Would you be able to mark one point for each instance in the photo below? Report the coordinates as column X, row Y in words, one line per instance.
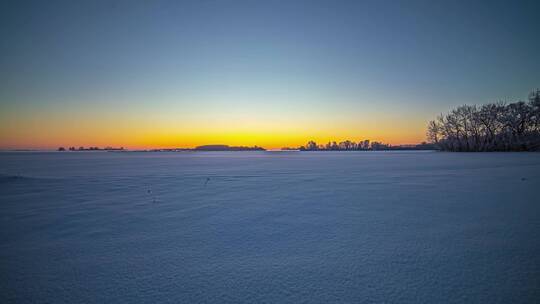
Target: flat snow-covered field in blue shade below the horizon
column 270, row 227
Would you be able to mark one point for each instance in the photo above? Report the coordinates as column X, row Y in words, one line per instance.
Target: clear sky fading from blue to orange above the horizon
column 164, row 74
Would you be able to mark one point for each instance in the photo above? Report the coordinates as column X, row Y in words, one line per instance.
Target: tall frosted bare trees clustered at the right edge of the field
column 490, row 127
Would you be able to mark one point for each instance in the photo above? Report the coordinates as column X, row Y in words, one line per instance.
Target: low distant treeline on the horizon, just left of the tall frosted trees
column 363, row 145
